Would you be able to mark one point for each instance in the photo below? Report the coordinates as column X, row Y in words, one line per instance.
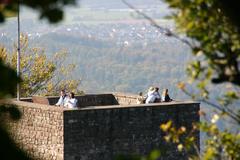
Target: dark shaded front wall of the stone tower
column 102, row 133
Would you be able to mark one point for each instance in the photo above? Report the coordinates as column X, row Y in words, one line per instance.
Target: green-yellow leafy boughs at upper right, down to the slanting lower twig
column 216, row 46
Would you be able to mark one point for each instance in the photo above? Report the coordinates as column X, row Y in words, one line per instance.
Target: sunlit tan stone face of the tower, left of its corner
column 39, row 131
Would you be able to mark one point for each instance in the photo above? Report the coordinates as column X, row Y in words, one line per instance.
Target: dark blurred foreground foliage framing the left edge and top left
column 53, row 11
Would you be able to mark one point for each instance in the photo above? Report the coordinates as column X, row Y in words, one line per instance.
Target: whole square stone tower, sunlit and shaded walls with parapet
column 99, row 132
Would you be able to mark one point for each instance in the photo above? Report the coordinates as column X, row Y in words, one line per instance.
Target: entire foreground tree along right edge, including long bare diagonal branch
column 212, row 30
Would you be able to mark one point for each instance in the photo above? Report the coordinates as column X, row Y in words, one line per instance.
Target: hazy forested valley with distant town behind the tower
column 112, row 53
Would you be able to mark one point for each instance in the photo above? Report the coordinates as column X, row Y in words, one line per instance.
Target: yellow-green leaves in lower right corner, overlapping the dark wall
column 218, row 145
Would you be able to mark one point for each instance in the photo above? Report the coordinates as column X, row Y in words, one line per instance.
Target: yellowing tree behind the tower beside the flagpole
column 40, row 74
